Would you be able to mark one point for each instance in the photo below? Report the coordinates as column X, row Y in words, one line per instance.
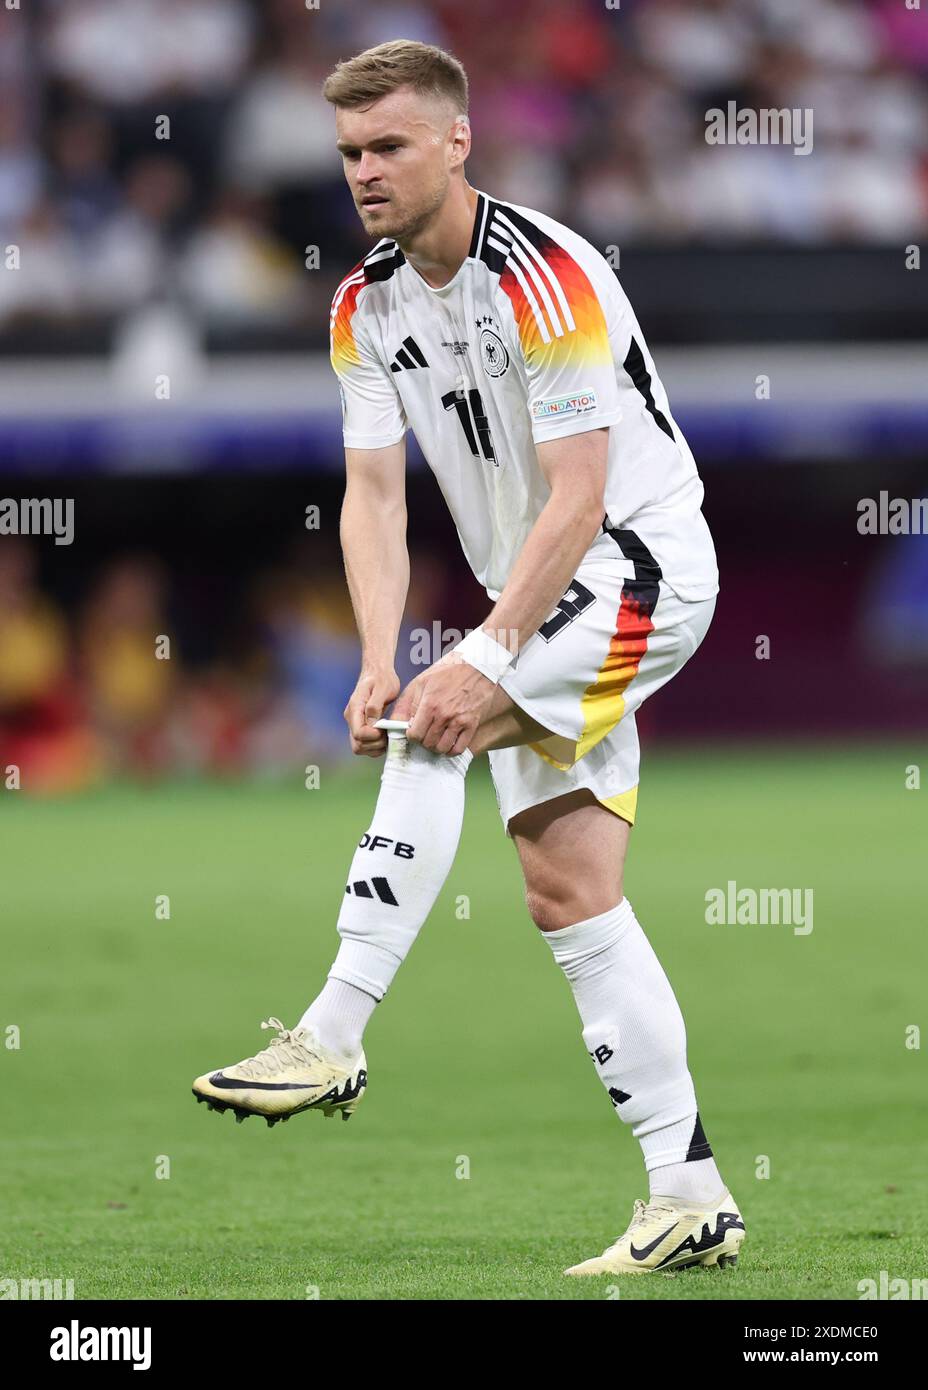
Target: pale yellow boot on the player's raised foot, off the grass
column 294, row 1074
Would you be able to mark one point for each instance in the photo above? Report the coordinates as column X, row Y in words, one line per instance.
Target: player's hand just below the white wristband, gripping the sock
column 445, row 705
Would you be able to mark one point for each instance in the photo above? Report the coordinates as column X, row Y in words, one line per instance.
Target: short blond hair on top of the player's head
column 390, row 66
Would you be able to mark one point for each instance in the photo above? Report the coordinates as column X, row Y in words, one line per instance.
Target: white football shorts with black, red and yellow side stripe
column 612, row 643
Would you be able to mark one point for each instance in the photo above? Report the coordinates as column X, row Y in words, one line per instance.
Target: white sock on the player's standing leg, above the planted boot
column 636, row 1033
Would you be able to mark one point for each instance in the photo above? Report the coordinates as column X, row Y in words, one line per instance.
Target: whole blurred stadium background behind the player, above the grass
column 188, row 256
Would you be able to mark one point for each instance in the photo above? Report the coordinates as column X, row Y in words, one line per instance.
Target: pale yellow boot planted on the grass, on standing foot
column 666, row 1234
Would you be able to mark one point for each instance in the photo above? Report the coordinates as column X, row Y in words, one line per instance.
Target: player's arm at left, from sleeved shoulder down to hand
column 373, row 526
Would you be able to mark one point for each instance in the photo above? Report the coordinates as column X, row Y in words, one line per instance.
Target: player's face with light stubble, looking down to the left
column 398, row 158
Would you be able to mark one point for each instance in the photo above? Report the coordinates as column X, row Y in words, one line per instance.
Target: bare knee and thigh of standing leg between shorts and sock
column 573, row 856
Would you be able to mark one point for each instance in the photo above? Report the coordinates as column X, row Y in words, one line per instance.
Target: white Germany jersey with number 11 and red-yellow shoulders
column 533, row 340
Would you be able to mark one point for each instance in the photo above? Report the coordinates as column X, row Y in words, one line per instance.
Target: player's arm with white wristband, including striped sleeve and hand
column 559, row 308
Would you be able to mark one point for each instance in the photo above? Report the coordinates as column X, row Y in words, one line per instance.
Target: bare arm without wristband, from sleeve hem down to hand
column 377, row 564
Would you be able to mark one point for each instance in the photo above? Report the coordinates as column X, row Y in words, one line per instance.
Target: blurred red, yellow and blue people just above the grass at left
column 91, row 690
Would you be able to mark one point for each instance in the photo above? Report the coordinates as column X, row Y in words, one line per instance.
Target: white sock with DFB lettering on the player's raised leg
column 397, row 875
